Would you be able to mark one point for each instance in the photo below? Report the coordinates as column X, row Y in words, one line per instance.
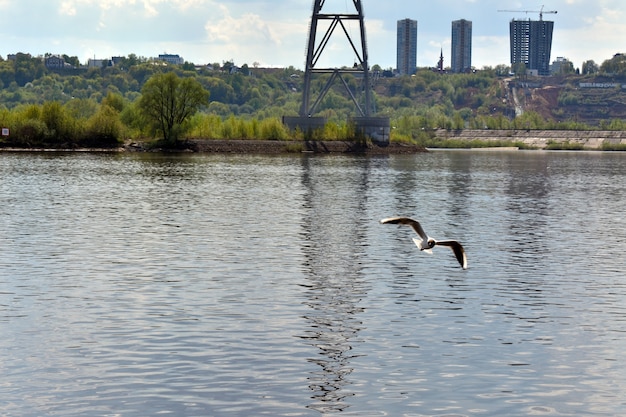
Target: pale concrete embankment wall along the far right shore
column 540, row 138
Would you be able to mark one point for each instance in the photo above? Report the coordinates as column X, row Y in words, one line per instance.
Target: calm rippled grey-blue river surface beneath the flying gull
column 219, row 285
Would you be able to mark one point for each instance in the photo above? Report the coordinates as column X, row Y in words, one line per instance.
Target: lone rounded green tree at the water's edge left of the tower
column 168, row 101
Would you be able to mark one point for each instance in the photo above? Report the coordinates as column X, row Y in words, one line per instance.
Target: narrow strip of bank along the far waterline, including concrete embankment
column 440, row 139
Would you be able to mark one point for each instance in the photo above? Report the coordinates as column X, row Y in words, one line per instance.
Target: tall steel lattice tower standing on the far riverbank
column 316, row 48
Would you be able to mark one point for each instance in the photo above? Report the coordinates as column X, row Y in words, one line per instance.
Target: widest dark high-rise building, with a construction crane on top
column 531, row 42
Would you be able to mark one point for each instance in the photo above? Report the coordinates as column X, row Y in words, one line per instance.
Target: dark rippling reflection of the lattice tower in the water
column 334, row 289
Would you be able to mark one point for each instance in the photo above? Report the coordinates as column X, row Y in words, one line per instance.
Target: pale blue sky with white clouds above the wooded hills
column 274, row 33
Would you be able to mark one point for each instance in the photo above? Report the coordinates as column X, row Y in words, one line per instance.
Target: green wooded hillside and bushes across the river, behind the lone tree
column 80, row 106
